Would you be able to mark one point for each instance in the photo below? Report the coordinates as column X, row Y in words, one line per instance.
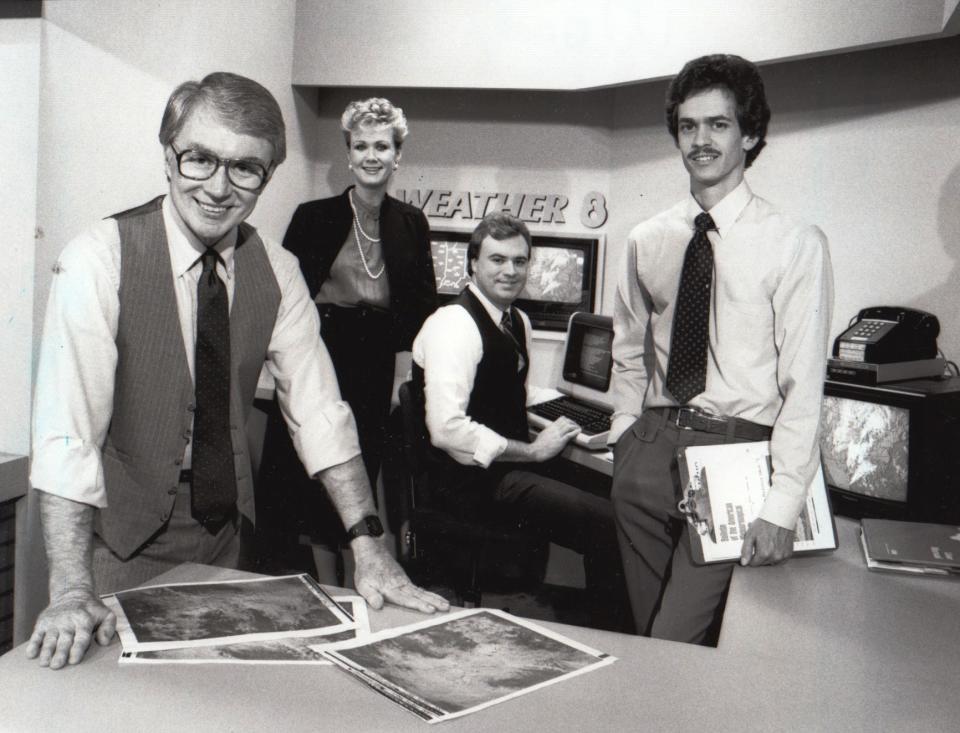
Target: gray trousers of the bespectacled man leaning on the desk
column 182, row 539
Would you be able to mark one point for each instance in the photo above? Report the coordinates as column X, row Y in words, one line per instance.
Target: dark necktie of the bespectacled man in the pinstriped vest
column 214, row 489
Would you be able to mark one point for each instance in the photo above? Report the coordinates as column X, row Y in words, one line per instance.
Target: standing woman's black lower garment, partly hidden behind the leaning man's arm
column 290, row 503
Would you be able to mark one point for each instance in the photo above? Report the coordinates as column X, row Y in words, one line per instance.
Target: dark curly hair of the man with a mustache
column 738, row 75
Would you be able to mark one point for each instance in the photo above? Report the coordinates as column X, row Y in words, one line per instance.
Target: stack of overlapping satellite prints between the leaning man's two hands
column 264, row 621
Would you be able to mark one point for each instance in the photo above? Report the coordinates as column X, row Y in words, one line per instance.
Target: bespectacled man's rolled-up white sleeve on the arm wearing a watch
column 321, row 424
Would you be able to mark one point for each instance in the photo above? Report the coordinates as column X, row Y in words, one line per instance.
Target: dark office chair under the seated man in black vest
column 431, row 536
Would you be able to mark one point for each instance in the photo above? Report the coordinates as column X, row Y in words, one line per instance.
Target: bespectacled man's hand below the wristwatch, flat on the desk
column 378, row 577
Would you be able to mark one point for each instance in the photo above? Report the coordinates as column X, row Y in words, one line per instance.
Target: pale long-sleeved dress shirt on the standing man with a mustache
column 770, row 314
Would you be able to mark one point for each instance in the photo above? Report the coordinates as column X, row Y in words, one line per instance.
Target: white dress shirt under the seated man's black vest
column 448, row 349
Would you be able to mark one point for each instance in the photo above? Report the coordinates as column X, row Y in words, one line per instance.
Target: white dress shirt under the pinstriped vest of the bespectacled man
column 73, row 401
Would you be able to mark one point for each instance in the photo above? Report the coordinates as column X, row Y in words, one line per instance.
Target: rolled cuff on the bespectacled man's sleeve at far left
column 70, row 468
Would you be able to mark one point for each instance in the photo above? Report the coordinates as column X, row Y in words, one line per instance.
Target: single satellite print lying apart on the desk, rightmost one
column 463, row 662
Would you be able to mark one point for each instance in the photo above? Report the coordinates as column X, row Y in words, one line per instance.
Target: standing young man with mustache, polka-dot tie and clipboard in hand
column 721, row 321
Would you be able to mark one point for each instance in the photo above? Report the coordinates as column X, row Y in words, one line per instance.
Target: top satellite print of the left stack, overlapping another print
column 179, row 615
